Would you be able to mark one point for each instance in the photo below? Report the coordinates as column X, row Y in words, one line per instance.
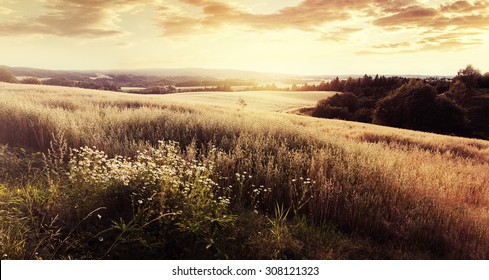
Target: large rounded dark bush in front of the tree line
column 417, row 106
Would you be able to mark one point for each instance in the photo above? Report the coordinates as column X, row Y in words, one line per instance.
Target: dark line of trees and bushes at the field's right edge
column 438, row 105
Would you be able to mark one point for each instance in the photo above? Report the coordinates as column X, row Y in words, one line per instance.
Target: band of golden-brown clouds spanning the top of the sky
column 334, row 20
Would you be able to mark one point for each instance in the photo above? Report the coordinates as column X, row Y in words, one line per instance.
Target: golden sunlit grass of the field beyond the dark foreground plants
column 416, row 190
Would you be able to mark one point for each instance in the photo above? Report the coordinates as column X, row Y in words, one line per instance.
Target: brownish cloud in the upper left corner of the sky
column 72, row 18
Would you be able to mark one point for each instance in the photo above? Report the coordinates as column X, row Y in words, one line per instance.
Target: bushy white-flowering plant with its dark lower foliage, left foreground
column 153, row 204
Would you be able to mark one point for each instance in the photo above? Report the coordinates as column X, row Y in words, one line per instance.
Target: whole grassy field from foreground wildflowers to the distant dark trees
column 91, row 174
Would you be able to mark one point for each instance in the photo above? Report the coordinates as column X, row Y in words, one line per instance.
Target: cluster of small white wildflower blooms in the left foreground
column 158, row 177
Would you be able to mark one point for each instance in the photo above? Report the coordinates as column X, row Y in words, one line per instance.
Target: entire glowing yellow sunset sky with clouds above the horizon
column 282, row 36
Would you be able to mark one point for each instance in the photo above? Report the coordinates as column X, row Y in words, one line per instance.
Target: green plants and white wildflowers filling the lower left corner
column 154, row 201
